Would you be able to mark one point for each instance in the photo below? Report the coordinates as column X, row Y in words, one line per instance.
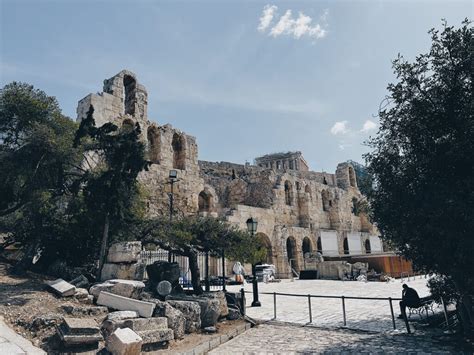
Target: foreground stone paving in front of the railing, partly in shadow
column 292, row 339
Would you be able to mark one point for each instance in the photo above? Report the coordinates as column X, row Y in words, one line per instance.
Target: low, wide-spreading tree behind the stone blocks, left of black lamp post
column 188, row 236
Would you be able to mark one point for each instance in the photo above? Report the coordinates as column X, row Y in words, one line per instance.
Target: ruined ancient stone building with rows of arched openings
column 298, row 210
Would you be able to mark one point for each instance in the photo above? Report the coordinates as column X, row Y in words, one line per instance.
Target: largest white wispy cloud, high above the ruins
column 296, row 27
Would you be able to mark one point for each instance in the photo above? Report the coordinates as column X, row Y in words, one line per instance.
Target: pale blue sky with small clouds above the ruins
column 245, row 77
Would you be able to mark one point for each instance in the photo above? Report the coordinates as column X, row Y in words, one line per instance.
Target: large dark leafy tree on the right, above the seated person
column 423, row 161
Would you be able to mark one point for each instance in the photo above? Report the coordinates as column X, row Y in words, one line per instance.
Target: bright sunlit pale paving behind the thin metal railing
column 370, row 315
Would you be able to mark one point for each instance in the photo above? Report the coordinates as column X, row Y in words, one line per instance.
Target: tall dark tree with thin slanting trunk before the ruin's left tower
column 109, row 186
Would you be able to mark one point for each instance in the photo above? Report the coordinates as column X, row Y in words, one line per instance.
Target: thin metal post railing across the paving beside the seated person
column 343, row 304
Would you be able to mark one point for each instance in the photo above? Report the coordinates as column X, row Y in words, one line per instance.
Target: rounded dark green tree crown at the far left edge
column 36, row 147
